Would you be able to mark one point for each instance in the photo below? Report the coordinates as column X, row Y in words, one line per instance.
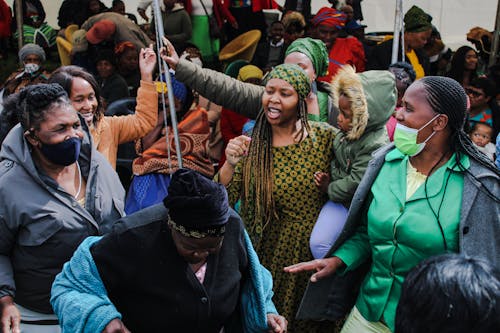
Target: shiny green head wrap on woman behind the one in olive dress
column 315, row 50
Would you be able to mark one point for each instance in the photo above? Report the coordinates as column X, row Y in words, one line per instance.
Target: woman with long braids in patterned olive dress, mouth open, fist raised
column 273, row 174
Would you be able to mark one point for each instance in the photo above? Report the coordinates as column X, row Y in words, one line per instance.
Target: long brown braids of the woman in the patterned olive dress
column 258, row 171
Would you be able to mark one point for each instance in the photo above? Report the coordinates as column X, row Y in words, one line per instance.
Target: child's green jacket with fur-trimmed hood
column 373, row 97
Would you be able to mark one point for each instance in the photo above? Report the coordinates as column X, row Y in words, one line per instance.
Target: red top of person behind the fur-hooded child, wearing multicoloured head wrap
column 345, row 51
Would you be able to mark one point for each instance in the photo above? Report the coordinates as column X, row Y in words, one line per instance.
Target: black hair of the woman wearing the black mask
column 34, row 101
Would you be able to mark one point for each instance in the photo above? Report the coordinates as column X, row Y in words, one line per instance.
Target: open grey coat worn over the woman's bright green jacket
column 332, row 297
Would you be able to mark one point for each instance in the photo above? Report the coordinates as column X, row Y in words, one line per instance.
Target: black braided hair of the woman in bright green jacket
column 447, row 96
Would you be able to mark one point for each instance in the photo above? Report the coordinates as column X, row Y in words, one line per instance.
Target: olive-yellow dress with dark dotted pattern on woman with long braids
column 285, row 240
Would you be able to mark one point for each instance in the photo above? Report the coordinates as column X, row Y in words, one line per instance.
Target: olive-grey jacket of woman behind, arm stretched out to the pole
column 243, row 98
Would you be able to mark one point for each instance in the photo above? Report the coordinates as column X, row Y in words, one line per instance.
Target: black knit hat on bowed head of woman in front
column 198, row 207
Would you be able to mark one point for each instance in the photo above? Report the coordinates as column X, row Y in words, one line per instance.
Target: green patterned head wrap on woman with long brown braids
column 292, row 74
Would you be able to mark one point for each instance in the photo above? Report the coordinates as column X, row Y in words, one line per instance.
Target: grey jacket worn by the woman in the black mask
column 41, row 225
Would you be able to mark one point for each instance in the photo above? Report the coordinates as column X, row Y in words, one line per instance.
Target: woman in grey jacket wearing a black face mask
column 55, row 190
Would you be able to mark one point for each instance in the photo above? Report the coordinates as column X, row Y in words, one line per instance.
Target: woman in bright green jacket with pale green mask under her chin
column 434, row 193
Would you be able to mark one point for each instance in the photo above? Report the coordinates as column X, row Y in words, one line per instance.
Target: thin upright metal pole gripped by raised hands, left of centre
column 170, row 91
